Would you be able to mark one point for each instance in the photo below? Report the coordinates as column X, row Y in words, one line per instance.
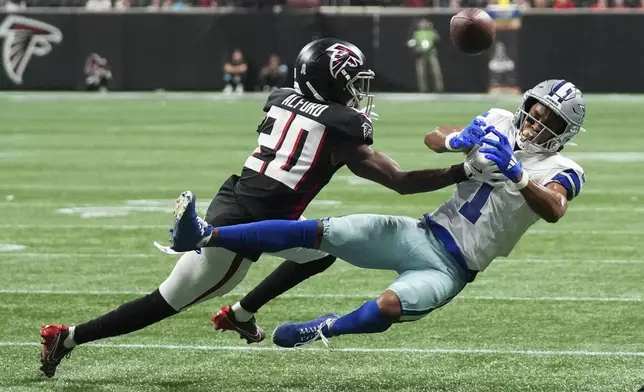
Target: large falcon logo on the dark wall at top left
column 24, row 38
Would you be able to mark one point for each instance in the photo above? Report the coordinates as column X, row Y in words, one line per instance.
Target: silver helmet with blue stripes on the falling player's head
column 550, row 115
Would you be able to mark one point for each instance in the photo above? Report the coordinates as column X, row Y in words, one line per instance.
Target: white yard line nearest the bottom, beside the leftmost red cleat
column 365, row 350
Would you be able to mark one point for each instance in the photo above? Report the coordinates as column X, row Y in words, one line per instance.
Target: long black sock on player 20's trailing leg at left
column 127, row 318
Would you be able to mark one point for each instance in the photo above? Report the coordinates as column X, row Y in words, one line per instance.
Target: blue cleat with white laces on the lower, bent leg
column 298, row 334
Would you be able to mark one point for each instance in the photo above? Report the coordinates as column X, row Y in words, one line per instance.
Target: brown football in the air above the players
column 472, row 31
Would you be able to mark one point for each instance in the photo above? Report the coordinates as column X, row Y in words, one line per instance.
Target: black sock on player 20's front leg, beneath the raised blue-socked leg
column 288, row 275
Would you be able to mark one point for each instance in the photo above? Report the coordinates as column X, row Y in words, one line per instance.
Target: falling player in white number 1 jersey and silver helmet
column 520, row 177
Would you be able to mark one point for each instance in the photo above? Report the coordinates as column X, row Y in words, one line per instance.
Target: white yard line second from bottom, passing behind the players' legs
column 336, row 296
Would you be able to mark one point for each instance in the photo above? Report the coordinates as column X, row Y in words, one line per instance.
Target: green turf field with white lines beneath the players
column 87, row 183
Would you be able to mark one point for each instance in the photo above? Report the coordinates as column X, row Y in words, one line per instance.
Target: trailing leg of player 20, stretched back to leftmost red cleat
column 195, row 278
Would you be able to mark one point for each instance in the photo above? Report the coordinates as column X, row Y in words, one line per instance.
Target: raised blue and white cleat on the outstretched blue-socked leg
column 189, row 231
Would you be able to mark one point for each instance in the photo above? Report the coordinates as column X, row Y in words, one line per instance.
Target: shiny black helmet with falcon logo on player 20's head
column 330, row 69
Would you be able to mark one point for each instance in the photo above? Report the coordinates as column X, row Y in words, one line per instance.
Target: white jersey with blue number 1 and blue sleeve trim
column 487, row 222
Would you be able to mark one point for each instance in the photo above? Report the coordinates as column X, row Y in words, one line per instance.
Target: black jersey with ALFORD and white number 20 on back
column 293, row 160
